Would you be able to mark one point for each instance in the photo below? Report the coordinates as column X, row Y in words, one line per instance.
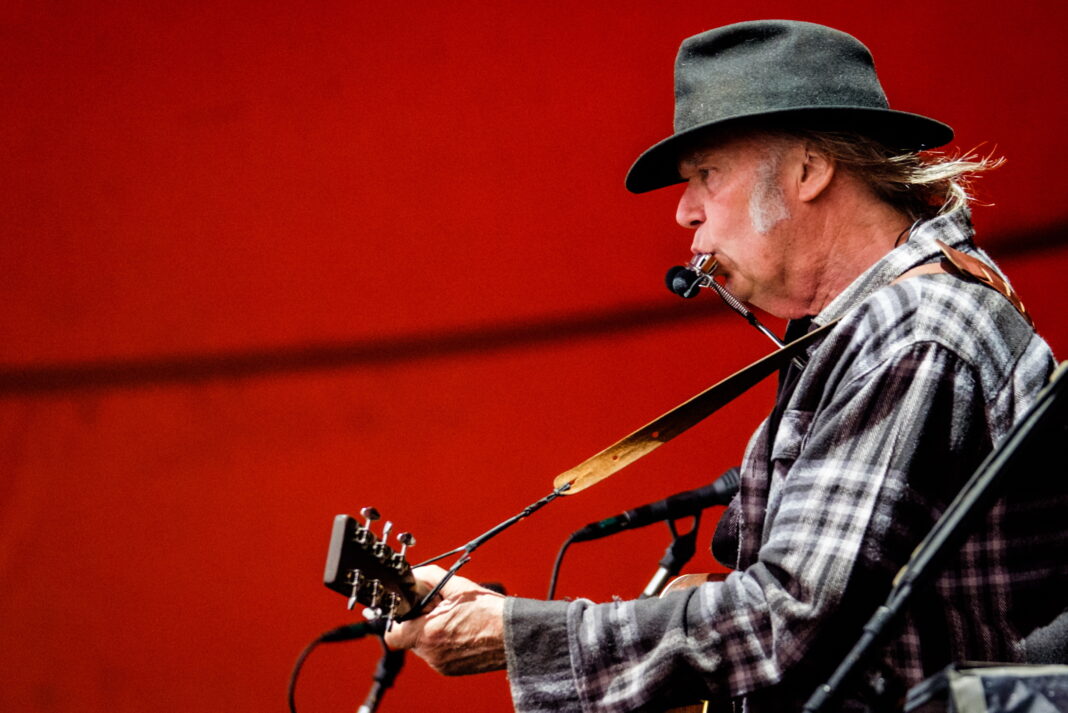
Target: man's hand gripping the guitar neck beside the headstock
column 464, row 633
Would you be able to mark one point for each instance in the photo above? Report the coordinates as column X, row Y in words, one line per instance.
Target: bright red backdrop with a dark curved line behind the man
column 269, row 263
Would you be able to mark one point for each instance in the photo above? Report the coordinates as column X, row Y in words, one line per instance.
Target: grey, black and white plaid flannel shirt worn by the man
column 896, row 410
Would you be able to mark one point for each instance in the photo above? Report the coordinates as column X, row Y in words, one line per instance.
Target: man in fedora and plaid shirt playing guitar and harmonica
column 813, row 197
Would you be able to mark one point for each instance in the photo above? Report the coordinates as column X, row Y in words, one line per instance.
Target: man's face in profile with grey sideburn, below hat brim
column 735, row 202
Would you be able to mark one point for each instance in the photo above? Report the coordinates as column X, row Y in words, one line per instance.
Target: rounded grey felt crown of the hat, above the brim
column 768, row 67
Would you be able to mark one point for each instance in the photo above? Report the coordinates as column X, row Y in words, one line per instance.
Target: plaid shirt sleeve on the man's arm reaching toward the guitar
column 842, row 473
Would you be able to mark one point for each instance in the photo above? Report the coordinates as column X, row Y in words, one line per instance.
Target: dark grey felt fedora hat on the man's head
column 778, row 73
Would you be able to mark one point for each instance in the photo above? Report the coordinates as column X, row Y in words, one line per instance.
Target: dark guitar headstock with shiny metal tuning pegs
column 367, row 571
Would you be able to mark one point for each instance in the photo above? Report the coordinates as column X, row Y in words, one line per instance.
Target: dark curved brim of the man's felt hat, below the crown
column 658, row 167
